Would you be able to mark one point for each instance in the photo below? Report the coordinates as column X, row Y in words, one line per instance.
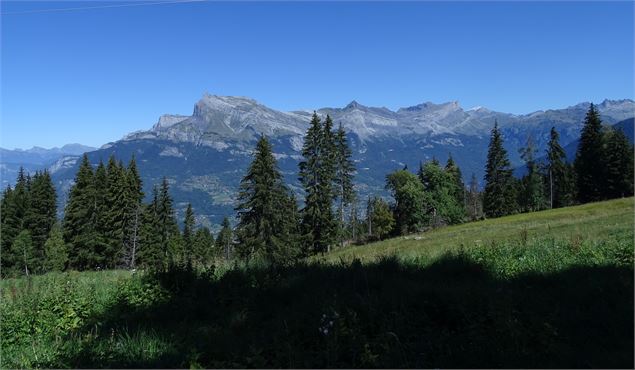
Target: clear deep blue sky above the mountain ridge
column 90, row 76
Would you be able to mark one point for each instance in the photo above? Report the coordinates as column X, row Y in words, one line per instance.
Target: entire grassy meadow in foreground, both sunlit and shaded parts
column 546, row 289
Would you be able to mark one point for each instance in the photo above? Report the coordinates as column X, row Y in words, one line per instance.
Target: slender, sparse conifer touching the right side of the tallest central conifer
column 344, row 172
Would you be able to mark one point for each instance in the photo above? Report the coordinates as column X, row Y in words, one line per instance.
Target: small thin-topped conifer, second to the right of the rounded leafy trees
column 531, row 193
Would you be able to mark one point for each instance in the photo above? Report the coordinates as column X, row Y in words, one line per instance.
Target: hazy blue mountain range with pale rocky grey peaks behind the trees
column 204, row 155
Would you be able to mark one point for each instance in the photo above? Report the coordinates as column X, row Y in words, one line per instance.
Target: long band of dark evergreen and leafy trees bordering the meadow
column 106, row 224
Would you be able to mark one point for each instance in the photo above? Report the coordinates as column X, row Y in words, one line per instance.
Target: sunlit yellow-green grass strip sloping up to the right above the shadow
column 590, row 222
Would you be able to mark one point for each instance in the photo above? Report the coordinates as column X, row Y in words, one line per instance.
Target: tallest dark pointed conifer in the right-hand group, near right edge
column 590, row 175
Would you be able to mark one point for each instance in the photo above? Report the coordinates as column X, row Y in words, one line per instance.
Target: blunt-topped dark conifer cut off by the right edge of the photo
column 618, row 161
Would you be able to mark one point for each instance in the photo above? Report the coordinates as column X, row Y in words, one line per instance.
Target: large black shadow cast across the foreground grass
column 387, row 314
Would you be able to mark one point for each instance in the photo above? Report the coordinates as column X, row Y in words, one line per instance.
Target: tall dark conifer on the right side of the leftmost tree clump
column 41, row 214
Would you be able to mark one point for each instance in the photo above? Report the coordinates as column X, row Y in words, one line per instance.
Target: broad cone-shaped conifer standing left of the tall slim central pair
column 263, row 206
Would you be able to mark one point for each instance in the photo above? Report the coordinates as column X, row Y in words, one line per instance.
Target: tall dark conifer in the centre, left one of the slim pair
column 317, row 173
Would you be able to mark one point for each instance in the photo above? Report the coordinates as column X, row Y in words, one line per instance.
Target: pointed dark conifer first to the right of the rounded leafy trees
column 499, row 197
